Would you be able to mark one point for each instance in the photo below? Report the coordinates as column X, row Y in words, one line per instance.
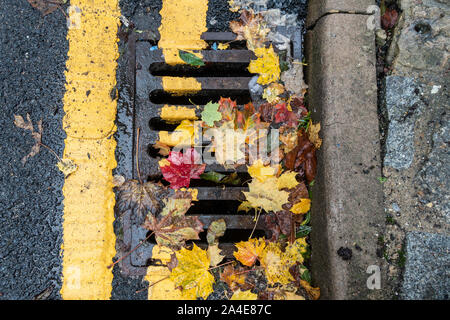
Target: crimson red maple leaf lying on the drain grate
column 180, row 168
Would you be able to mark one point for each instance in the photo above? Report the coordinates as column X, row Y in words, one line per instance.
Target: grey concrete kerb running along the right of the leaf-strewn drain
column 347, row 214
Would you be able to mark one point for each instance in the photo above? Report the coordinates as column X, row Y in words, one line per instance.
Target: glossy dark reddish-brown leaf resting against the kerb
column 303, row 157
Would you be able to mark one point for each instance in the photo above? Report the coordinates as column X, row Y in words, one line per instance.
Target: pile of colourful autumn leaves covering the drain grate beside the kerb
column 278, row 193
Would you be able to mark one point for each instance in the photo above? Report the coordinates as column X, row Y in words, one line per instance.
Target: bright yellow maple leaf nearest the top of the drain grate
column 267, row 65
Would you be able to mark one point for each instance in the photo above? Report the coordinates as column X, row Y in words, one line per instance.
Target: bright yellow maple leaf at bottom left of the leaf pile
column 192, row 271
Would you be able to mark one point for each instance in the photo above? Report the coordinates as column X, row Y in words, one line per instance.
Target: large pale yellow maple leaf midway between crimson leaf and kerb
column 265, row 195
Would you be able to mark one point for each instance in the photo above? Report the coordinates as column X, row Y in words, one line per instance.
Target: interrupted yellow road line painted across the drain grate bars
column 182, row 24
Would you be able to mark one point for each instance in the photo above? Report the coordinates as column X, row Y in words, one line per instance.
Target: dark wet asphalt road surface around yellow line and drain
column 33, row 51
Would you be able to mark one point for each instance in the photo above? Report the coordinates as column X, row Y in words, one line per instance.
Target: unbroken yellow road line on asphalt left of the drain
column 89, row 240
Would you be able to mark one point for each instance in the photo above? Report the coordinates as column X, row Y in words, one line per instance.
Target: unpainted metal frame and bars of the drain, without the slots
column 143, row 83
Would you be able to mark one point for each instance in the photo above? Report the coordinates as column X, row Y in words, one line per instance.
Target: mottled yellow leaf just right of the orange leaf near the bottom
column 275, row 265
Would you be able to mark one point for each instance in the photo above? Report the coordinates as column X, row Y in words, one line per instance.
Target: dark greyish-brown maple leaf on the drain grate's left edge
column 140, row 196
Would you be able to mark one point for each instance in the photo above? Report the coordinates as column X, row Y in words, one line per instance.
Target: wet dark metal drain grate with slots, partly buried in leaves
column 224, row 75
